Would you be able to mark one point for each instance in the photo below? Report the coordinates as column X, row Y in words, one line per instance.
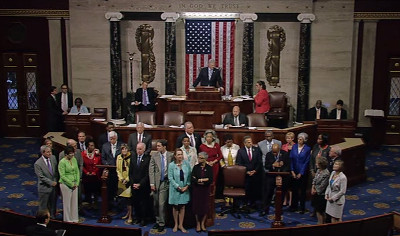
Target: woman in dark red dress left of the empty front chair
column 212, row 148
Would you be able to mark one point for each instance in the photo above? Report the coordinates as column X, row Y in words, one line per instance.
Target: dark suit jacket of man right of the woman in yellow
column 139, row 174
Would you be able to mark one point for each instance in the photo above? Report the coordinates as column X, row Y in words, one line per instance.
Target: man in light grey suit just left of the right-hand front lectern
column 266, row 147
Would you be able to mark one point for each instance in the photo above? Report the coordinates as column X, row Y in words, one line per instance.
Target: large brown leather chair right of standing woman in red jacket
column 279, row 109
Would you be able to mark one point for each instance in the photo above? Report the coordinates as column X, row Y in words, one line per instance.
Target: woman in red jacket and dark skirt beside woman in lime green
column 91, row 174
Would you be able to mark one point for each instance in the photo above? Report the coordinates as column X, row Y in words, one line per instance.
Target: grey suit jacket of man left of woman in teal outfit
column 155, row 168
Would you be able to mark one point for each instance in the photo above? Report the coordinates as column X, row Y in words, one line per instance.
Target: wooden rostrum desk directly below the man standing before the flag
column 218, row 106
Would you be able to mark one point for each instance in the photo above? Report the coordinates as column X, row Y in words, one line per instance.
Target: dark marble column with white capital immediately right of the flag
column 248, row 53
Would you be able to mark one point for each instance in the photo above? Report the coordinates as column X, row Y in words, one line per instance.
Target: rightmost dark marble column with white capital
column 303, row 83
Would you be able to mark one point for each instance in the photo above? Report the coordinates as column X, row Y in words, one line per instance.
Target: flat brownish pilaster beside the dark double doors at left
column 56, row 60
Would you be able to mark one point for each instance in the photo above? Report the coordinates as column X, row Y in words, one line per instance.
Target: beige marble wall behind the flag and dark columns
column 331, row 46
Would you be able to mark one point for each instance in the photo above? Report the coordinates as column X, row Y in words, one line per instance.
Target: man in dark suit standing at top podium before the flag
column 209, row 76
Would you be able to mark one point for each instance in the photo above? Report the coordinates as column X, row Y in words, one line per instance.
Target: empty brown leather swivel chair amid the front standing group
column 234, row 182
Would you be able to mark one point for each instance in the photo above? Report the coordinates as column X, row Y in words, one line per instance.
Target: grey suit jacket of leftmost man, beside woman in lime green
column 45, row 178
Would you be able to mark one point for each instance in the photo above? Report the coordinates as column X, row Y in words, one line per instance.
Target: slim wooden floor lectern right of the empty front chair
column 278, row 222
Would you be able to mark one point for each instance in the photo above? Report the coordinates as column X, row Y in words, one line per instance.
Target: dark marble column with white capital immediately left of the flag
column 170, row 51
